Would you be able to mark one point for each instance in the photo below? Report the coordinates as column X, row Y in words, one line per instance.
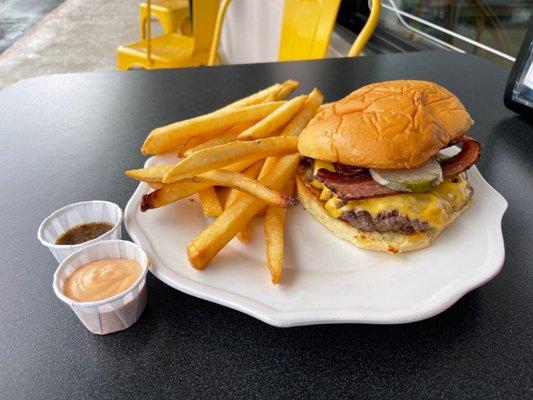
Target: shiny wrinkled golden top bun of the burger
column 394, row 124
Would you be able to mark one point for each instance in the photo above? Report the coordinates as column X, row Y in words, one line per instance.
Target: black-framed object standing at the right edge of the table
column 519, row 90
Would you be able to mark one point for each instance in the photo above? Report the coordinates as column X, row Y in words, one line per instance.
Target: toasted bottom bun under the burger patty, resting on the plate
column 392, row 242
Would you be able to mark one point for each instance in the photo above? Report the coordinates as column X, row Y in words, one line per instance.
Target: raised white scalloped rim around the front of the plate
column 445, row 299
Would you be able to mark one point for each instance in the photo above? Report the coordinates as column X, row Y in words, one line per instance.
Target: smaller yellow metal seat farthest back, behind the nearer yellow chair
column 171, row 14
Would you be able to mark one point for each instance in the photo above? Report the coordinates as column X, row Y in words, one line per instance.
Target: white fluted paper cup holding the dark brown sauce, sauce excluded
column 69, row 216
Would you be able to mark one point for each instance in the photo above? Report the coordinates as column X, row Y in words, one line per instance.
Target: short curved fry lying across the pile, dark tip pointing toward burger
column 244, row 184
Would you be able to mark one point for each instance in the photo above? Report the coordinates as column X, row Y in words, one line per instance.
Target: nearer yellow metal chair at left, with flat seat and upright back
column 173, row 50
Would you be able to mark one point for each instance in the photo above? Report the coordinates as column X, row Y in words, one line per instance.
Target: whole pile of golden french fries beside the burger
column 241, row 160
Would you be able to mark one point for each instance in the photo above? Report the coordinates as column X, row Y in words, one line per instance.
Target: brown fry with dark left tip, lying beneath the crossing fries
column 172, row 192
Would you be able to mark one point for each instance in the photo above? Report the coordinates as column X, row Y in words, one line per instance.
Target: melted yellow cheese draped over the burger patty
column 434, row 206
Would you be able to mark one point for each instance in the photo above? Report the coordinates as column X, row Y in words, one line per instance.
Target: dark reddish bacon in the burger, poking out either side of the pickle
column 362, row 186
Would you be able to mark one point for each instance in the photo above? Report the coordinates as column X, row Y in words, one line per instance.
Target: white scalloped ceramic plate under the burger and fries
column 325, row 279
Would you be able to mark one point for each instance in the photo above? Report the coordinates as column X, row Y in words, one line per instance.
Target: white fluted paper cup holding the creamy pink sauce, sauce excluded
column 115, row 313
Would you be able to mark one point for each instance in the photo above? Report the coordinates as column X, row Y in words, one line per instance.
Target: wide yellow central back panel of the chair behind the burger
column 306, row 28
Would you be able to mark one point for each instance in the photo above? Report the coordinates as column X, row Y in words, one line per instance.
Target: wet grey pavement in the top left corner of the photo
column 17, row 16
